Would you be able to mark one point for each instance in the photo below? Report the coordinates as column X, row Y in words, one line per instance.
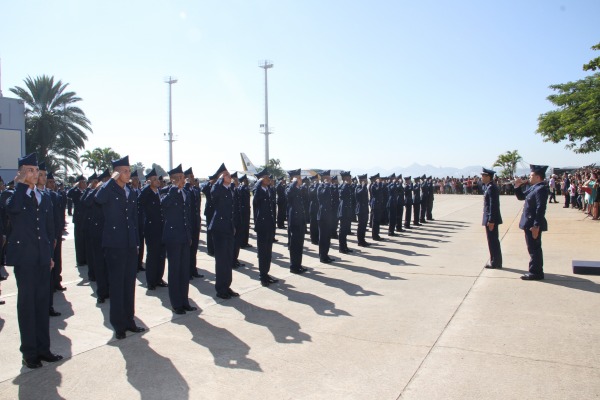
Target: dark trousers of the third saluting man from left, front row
column 178, row 255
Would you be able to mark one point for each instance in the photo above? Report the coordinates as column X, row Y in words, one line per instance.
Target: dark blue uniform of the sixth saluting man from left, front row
column 296, row 225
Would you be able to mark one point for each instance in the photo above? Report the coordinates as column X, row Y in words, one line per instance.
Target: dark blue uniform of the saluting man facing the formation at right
column 534, row 214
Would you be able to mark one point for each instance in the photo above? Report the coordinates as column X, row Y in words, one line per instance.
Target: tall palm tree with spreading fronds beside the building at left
column 55, row 127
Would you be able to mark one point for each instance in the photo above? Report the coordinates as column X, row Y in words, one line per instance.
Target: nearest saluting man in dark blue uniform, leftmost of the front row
column 29, row 249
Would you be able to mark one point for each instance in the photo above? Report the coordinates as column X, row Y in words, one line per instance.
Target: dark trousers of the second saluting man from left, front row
column 122, row 270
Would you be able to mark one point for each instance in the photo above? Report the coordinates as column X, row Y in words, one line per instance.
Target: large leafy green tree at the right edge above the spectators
column 577, row 119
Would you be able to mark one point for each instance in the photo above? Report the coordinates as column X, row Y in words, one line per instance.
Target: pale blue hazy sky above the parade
column 355, row 84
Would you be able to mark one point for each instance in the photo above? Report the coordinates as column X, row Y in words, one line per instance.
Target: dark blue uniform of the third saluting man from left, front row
column 177, row 236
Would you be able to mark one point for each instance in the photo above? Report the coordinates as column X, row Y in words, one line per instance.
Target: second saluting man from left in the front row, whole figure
column 120, row 243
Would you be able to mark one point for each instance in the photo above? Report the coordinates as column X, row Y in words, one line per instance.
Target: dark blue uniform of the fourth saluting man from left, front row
column 222, row 230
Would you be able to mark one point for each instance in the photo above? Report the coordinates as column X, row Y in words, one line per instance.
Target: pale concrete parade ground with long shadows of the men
column 414, row 317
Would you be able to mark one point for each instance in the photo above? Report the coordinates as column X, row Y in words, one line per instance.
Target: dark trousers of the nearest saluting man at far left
column 33, row 303
